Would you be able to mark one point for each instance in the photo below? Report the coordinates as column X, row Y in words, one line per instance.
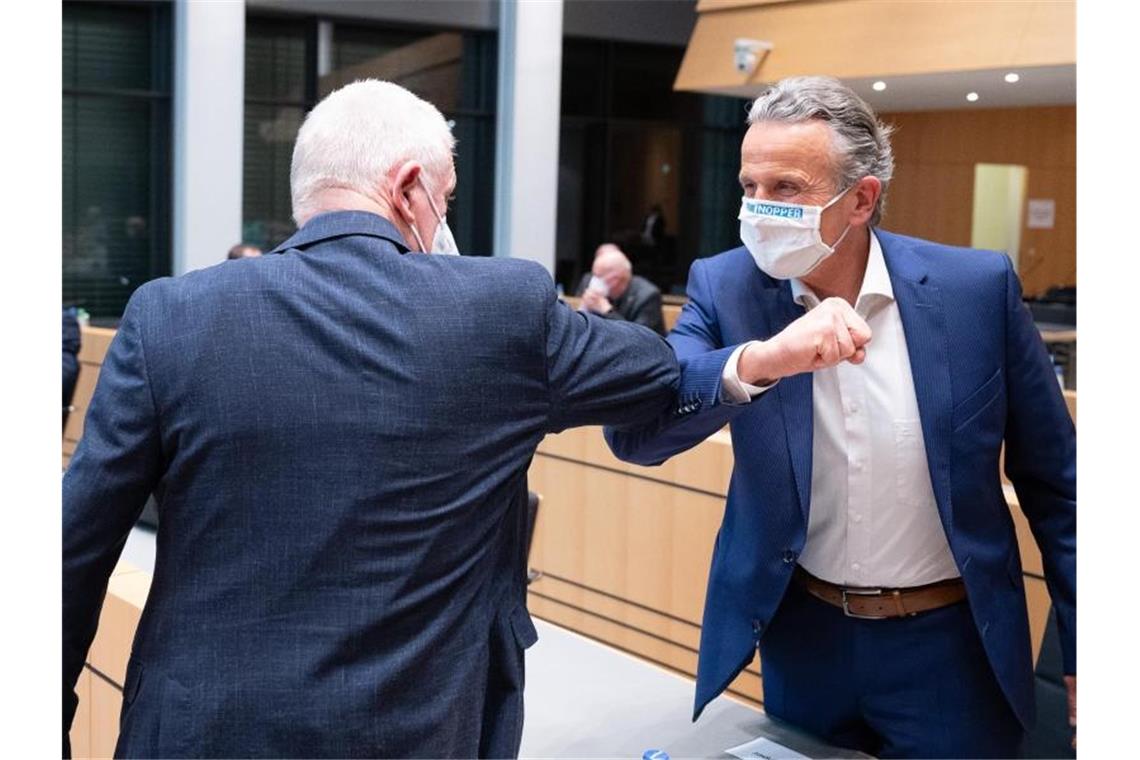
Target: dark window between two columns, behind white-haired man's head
column 455, row 71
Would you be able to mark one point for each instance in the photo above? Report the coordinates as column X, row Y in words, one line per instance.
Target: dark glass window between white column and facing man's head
column 641, row 166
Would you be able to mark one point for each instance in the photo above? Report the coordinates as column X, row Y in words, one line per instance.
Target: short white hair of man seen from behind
column 356, row 135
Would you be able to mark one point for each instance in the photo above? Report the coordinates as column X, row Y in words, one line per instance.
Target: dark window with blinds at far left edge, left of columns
column 117, row 164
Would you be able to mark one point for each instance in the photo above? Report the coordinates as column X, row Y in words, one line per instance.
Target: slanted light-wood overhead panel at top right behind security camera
column 856, row 39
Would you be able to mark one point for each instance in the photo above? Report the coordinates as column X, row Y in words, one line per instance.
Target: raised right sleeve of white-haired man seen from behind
column 604, row 372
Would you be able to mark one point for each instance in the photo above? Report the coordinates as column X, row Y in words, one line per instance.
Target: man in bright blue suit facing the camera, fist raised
column 867, row 546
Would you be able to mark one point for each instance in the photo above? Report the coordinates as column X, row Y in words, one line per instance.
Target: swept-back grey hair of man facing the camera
column 862, row 143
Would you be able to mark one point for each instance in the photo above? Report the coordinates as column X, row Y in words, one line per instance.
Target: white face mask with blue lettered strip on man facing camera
column 785, row 238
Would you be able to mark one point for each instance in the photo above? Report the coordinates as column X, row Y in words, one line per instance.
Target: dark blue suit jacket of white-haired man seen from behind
column 338, row 437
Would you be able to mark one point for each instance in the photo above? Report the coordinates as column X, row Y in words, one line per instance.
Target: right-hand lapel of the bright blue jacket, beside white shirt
column 923, row 312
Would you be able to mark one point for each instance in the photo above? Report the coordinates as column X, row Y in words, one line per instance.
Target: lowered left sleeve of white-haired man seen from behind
column 116, row 468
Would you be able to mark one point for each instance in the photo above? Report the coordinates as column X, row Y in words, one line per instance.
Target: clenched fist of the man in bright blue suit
column 823, row 338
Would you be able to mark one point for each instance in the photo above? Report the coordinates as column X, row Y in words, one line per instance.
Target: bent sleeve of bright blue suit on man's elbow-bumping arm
column 699, row 412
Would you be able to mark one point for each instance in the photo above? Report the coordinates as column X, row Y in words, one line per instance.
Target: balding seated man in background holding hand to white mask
column 613, row 290
